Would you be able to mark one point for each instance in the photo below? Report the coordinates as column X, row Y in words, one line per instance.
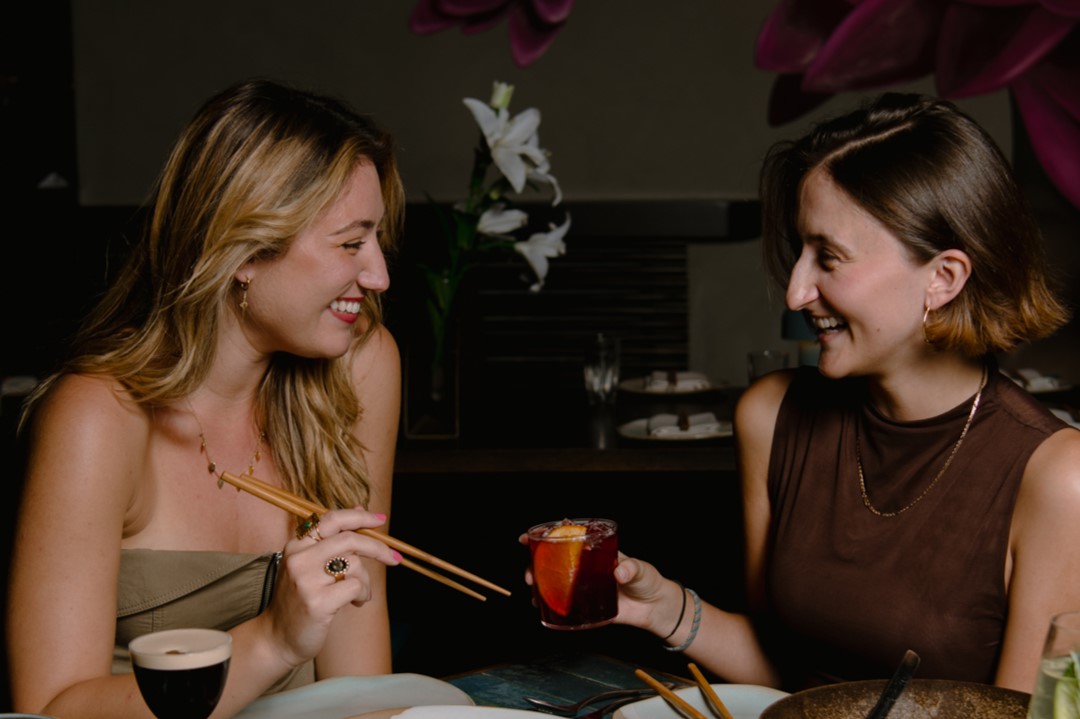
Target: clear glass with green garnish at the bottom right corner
column 1057, row 693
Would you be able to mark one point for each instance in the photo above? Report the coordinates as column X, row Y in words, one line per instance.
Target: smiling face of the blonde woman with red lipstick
column 307, row 302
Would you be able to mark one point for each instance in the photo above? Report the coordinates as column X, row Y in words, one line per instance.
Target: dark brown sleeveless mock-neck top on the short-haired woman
column 850, row 591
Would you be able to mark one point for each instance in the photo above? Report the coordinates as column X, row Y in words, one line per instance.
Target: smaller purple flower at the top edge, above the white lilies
column 534, row 24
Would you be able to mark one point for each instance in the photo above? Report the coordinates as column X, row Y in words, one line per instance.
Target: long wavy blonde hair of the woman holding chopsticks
column 259, row 162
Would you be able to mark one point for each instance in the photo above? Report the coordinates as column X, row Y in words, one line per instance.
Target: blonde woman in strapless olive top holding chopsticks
column 242, row 336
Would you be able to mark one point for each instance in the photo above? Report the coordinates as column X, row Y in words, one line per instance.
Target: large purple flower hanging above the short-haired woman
column 973, row 47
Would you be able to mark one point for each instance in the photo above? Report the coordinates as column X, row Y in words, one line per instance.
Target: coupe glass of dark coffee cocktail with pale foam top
column 182, row 673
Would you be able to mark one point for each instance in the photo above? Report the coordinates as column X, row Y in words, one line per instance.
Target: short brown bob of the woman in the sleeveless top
column 938, row 182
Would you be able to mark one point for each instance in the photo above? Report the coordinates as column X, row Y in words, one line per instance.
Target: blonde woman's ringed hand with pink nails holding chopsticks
column 308, row 596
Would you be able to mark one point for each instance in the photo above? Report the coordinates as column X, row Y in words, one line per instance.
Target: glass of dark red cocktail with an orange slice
column 574, row 564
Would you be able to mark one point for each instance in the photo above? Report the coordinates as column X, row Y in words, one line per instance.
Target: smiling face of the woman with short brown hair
column 857, row 283
